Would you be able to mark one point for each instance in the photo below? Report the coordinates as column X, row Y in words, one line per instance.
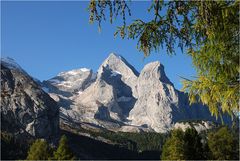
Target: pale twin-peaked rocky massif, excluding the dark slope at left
column 118, row 98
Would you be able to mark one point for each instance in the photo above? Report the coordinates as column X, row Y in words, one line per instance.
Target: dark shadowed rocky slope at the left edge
column 25, row 107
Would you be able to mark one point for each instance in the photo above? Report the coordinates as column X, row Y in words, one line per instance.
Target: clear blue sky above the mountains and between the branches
column 46, row 38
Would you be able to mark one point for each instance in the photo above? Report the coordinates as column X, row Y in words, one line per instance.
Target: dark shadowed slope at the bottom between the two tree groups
column 87, row 148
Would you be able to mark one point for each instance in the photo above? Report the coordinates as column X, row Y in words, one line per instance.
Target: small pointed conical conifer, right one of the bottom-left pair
column 63, row 151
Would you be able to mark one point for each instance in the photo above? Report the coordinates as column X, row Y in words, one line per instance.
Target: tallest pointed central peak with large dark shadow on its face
column 107, row 100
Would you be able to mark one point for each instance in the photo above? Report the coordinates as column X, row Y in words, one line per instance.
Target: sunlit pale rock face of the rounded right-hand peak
column 157, row 99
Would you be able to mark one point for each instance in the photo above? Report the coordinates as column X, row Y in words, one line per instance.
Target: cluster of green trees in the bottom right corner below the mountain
column 220, row 144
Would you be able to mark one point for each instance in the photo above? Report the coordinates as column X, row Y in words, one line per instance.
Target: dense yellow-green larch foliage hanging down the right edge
column 217, row 58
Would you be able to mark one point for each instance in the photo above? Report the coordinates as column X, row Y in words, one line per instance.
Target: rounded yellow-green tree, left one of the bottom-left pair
column 39, row 150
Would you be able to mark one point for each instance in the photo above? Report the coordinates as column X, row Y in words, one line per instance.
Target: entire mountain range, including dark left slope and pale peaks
column 117, row 97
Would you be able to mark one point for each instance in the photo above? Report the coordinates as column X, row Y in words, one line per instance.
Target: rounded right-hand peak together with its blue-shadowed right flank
column 159, row 105
